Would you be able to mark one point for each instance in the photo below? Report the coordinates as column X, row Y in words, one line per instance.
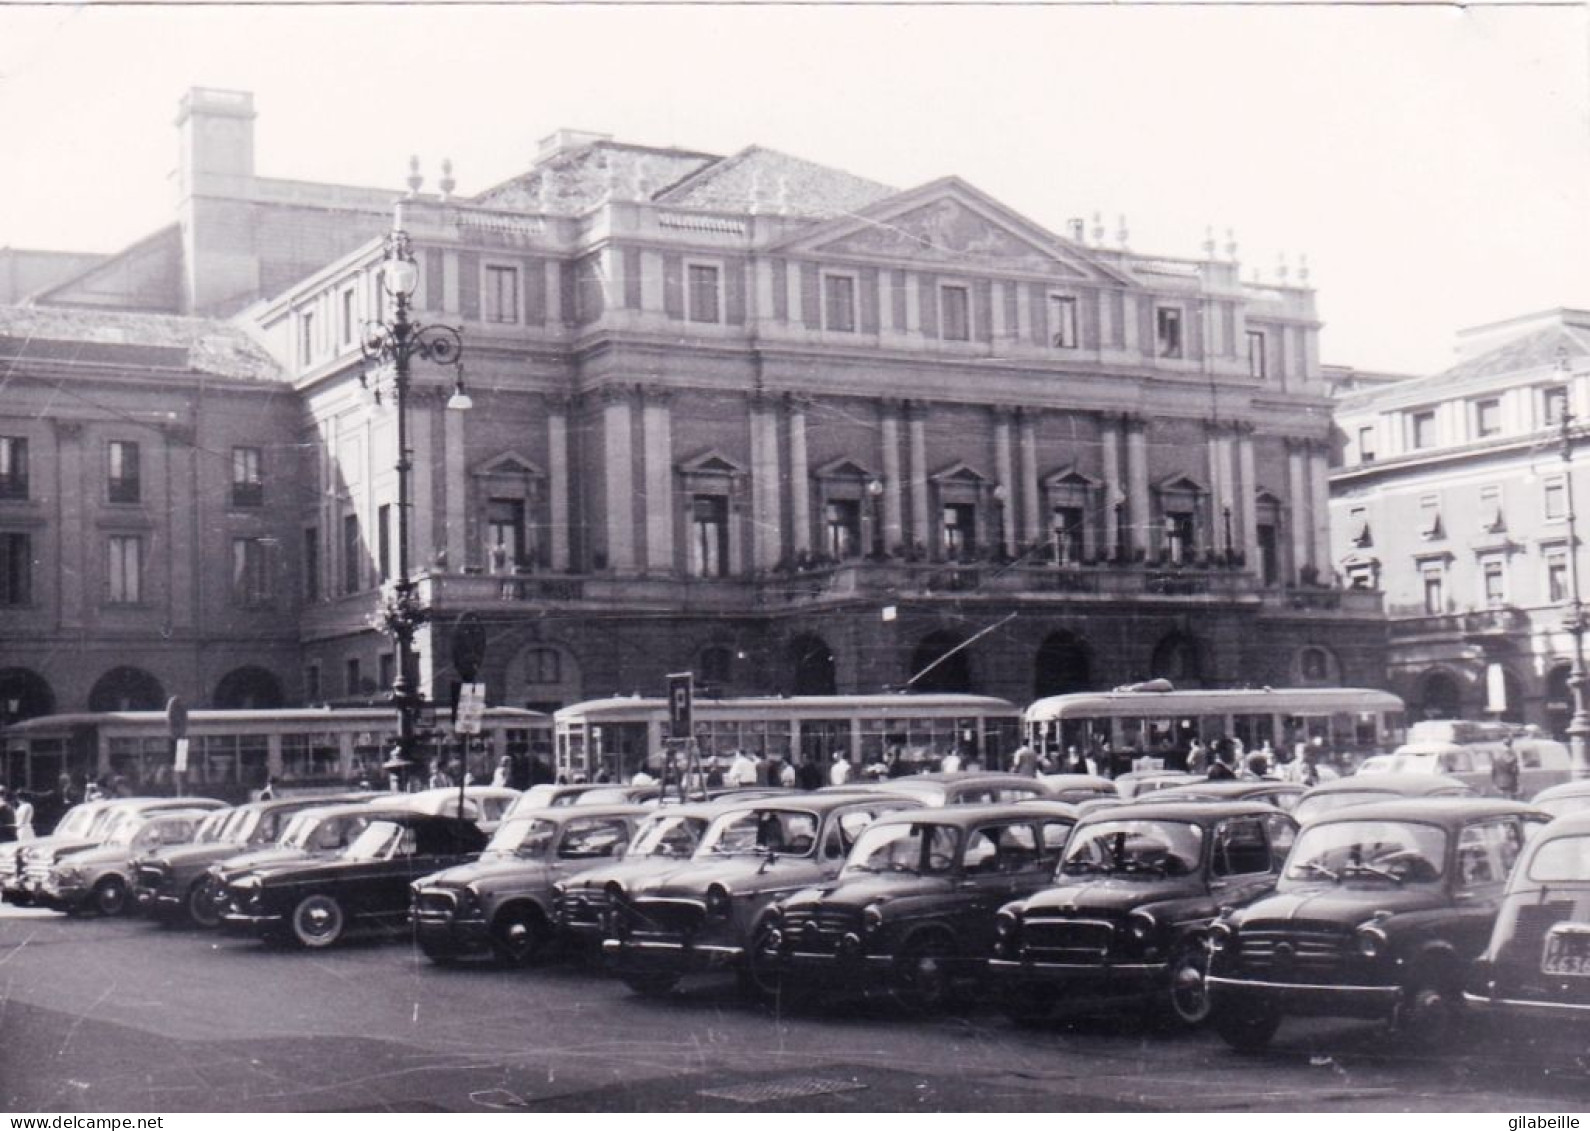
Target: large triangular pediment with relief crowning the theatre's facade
column 952, row 225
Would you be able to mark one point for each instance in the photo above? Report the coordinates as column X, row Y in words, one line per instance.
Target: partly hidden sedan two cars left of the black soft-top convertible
column 174, row 884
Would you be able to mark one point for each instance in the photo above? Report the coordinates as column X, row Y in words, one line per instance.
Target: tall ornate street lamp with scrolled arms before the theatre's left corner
column 395, row 346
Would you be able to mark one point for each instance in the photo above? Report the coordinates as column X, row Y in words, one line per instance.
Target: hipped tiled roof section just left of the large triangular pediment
column 777, row 181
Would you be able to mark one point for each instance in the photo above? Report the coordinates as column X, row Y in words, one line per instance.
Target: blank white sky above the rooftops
column 1433, row 163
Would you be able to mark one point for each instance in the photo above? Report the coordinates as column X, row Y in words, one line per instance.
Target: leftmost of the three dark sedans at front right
column 913, row 909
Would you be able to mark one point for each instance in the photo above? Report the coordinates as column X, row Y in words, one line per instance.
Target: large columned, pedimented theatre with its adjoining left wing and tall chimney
column 747, row 416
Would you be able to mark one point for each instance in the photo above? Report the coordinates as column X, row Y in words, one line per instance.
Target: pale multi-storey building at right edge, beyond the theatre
column 1451, row 496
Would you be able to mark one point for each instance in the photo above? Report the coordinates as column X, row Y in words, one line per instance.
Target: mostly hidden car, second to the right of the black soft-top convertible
column 583, row 904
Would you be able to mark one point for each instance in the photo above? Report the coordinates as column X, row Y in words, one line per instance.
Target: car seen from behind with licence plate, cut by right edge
column 1537, row 966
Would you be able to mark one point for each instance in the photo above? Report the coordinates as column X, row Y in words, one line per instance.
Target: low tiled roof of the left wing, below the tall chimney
column 203, row 346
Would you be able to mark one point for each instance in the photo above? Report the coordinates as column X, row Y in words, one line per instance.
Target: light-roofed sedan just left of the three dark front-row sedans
column 708, row 914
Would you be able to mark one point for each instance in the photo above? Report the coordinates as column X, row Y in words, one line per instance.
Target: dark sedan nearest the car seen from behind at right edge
column 1379, row 914
